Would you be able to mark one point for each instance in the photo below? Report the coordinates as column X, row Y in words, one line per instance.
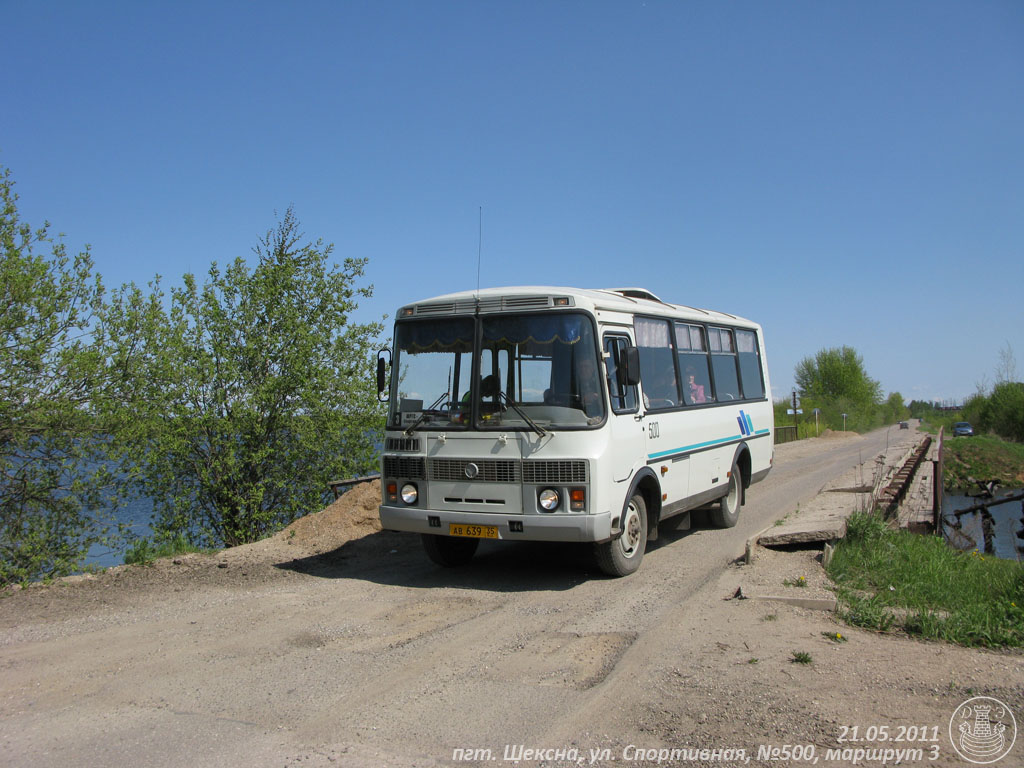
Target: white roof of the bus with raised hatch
column 521, row 298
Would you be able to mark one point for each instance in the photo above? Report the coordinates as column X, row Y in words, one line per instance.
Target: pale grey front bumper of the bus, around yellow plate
column 553, row 528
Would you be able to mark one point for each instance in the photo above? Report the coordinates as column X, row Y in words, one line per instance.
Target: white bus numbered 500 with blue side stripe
column 568, row 415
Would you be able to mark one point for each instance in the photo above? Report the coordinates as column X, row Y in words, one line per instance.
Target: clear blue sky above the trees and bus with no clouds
column 844, row 174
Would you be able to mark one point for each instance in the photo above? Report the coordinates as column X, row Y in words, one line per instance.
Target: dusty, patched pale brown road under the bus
column 338, row 645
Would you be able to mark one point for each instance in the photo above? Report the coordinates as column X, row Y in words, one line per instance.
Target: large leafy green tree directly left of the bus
column 255, row 392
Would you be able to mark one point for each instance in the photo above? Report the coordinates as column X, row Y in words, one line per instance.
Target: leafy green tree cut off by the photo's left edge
column 54, row 380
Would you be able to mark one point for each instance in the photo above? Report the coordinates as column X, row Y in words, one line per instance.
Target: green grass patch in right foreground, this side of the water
column 892, row 580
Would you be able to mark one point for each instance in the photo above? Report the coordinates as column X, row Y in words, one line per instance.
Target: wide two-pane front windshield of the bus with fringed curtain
column 529, row 368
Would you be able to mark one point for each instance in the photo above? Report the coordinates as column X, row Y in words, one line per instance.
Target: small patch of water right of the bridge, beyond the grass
column 999, row 532
